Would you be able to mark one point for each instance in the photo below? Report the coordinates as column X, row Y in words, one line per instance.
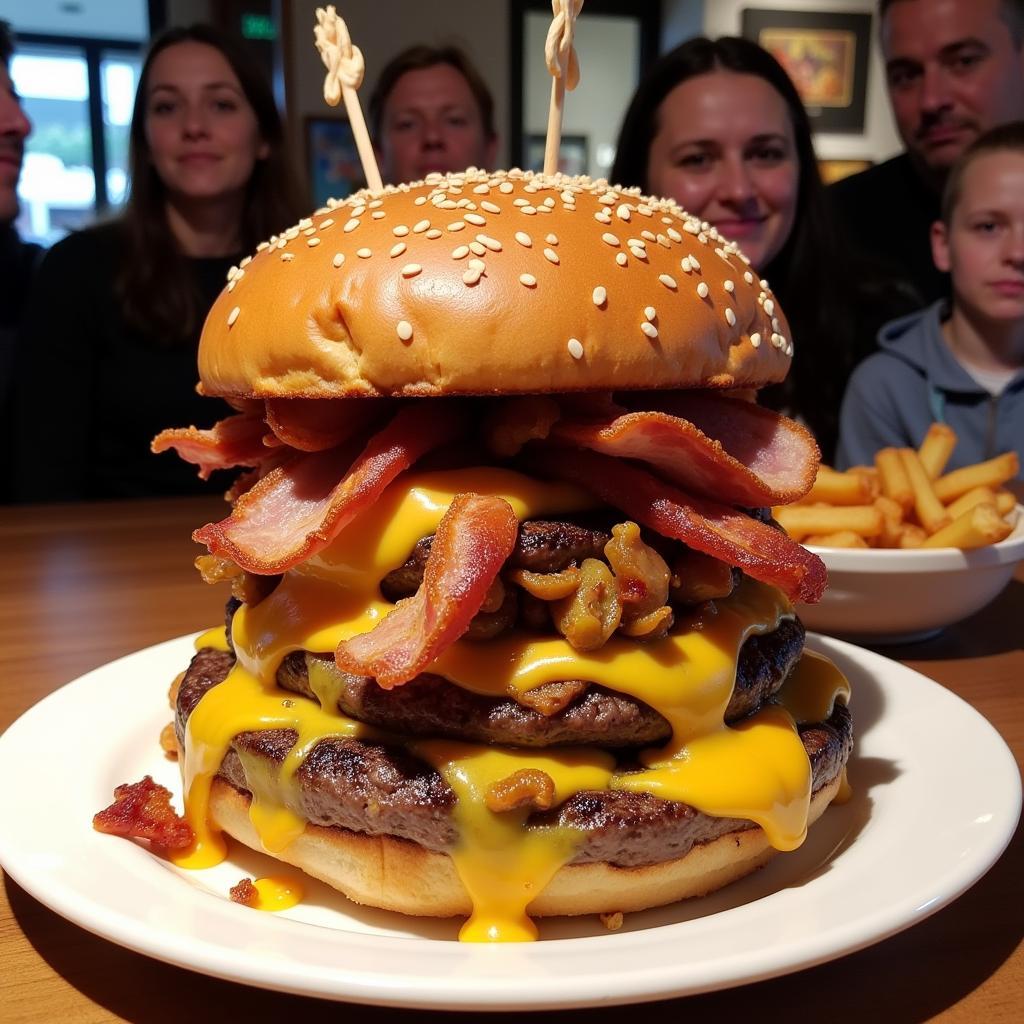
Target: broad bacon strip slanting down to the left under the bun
column 302, row 506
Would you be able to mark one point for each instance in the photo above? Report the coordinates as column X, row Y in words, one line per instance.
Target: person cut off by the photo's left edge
column 19, row 260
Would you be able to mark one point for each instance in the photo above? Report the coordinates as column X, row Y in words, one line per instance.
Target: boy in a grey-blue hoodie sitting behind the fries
column 959, row 363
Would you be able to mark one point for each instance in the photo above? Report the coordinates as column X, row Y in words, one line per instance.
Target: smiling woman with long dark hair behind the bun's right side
column 719, row 127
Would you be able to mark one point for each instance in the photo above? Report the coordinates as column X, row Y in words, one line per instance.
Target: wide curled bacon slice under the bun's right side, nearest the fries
column 722, row 448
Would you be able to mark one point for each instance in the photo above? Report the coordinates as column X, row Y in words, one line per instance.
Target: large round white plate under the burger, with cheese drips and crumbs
column 918, row 833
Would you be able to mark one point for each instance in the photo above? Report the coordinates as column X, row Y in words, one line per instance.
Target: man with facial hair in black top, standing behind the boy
column 954, row 70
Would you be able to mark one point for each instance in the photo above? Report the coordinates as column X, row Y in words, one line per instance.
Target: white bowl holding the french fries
column 893, row 595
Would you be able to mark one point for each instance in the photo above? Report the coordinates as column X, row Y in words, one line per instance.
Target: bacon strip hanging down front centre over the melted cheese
column 473, row 543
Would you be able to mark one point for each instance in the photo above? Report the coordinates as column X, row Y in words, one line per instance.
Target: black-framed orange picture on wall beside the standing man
column 826, row 55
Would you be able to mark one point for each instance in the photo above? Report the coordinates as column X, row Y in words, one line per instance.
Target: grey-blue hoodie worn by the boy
column 913, row 381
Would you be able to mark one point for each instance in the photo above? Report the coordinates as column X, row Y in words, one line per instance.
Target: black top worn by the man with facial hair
column 887, row 215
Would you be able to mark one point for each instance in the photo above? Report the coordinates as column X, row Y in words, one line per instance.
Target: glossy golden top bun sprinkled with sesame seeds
column 493, row 283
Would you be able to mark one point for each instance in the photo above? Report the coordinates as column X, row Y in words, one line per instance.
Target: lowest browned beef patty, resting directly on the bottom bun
column 377, row 788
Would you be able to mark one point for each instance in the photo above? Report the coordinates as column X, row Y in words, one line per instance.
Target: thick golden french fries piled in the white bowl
column 907, row 500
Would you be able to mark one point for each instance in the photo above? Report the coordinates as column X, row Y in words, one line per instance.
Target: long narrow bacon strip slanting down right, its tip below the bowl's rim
column 717, row 530
